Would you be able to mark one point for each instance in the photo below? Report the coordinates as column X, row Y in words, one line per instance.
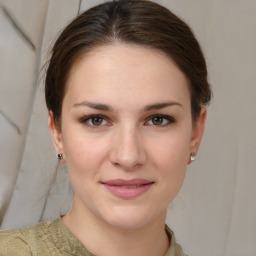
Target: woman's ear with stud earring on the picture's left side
column 56, row 135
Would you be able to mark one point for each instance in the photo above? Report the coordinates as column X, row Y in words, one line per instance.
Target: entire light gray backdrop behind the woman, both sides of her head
column 214, row 214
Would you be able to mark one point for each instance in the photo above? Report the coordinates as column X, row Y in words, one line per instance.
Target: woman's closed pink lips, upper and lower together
column 128, row 189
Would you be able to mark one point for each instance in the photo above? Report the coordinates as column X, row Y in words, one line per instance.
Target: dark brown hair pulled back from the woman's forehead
column 139, row 22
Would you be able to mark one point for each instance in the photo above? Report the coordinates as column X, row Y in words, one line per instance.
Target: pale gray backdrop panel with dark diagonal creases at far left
column 21, row 31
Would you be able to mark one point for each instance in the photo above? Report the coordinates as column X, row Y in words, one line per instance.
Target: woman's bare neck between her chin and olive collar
column 149, row 239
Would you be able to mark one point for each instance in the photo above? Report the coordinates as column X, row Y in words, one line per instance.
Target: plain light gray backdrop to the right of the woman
column 218, row 196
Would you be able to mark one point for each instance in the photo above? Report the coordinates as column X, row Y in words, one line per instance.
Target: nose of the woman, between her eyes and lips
column 128, row 150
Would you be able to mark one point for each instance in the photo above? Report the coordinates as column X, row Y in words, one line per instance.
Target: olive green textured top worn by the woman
column 54, row 238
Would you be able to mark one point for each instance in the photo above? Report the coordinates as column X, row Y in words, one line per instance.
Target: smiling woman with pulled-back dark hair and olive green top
column 126, row 89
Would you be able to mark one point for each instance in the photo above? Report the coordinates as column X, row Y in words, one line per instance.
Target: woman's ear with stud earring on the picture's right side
column 197, row 132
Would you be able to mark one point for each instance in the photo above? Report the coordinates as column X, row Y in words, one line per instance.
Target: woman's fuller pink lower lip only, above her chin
column 128, row 192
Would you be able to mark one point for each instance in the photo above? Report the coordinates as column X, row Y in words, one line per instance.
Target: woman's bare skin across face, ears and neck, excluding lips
column 135, row 83
